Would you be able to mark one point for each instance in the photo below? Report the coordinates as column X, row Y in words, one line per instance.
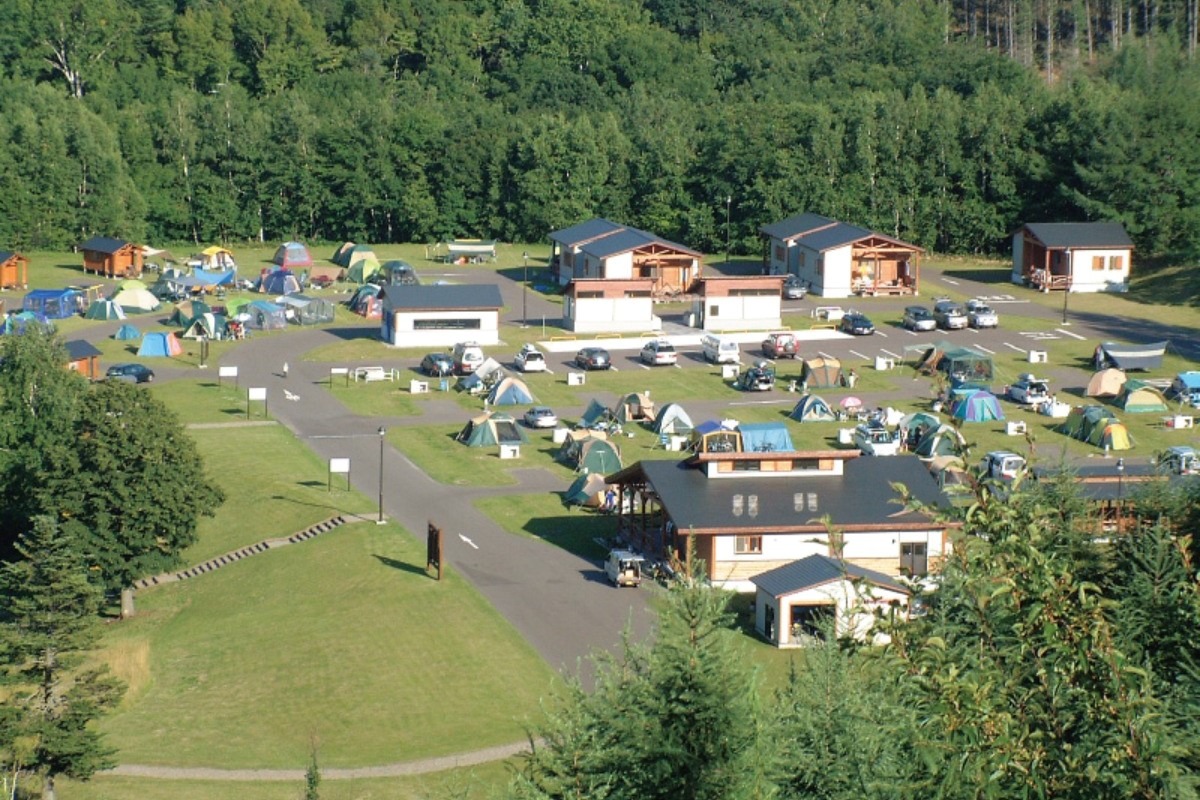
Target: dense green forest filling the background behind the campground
column 945, row 123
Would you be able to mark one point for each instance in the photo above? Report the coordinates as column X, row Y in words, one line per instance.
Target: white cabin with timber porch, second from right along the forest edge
column 838, row 260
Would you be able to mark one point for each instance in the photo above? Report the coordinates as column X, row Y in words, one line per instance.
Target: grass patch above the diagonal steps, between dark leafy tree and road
column 274, row 486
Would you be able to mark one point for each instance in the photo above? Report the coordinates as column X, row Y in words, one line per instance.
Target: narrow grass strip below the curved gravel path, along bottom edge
column 469, row 784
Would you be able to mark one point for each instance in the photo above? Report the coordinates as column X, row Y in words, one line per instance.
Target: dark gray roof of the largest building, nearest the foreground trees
column 861, row 497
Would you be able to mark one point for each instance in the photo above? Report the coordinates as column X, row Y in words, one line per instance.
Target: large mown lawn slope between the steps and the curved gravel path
column 343, row 640
